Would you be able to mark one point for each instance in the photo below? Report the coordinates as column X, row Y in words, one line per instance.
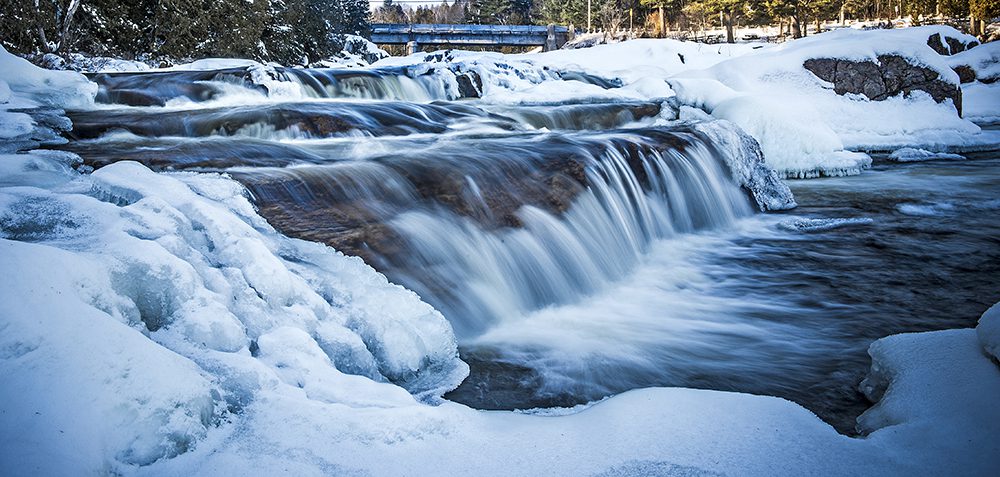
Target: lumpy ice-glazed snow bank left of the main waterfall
column 148, row 305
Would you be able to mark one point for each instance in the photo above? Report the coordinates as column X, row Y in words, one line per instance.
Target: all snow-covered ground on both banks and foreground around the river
column 271, row 355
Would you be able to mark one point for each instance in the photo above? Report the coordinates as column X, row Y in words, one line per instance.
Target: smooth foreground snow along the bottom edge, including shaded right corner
column 935, row 416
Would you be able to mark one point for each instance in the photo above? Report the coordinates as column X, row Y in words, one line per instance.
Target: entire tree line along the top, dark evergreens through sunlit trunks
column 306, row 31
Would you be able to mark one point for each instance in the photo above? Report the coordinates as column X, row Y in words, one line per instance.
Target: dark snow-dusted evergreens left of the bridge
column 285, row 31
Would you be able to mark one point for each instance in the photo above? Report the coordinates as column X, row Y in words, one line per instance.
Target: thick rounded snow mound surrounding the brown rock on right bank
column 805, row 128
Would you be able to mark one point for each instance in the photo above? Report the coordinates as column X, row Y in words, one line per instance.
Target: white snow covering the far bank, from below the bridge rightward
column 808, row 130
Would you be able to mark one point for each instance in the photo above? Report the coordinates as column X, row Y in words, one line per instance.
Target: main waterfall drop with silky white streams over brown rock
column 489, row 235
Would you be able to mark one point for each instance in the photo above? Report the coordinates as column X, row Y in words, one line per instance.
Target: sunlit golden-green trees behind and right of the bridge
column 659, row 16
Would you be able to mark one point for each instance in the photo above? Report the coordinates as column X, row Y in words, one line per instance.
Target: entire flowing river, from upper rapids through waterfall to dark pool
column 581, row 249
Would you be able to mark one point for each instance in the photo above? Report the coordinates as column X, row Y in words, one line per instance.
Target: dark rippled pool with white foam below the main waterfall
column 785, row 305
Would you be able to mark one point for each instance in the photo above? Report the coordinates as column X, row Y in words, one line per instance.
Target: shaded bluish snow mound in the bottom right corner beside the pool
column 936, row 387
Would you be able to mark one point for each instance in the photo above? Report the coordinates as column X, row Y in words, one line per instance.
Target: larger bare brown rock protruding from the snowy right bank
column 891, row 76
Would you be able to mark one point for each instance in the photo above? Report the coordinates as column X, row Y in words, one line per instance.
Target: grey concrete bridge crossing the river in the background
column 548, row 37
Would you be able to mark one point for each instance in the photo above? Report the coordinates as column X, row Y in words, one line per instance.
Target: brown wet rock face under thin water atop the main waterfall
column 315, row 204
